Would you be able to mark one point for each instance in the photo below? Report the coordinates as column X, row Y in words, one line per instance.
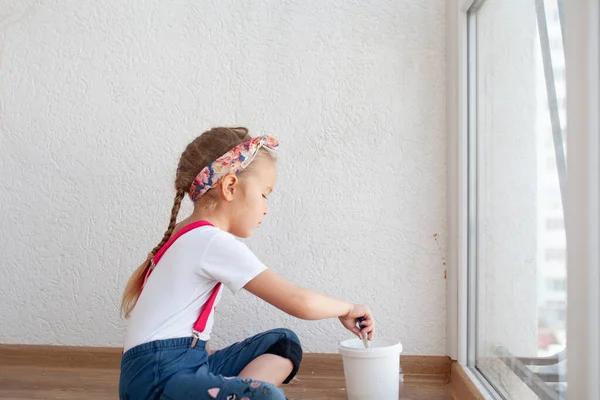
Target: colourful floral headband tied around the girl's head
column 232, row 162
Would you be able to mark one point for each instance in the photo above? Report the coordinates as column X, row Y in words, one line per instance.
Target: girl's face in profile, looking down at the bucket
column 252, row 205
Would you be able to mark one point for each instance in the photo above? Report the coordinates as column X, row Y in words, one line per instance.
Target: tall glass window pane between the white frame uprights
column 519, row 255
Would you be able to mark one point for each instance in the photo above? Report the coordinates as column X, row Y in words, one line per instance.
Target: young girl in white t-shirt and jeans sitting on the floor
column 170, row 298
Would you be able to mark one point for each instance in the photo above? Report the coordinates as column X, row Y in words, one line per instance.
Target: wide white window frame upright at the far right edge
column 582, row 54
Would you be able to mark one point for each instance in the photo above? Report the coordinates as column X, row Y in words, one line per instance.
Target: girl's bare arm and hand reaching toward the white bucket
column 308, row 304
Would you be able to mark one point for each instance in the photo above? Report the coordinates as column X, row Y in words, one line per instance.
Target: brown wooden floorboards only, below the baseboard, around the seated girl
column 27, row 382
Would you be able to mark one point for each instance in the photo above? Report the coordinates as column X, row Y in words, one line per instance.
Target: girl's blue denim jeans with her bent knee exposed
column 173, row 370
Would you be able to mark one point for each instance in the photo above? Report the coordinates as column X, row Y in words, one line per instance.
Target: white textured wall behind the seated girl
column 98, row 99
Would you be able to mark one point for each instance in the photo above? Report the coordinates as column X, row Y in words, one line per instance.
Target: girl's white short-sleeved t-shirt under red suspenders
column 184, row 279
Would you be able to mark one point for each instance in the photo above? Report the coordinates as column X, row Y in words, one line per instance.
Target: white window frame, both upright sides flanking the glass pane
column 582, row 54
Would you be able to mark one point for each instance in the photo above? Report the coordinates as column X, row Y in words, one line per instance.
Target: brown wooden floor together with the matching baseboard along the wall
column 70, row 373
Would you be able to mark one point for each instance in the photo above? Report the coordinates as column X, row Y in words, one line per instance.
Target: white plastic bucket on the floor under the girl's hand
column 373, row 373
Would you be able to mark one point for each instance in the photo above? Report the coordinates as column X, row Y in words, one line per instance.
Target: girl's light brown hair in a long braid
column 198, row 154
